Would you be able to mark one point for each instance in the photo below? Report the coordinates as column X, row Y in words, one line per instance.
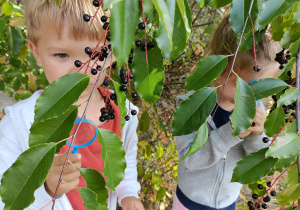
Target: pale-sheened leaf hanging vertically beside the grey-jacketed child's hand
column 244, row 108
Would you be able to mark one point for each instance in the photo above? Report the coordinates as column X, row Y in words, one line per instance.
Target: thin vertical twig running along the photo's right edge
column 297, row 111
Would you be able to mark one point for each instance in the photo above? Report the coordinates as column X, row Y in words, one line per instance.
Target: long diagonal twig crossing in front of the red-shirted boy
column 83, row 115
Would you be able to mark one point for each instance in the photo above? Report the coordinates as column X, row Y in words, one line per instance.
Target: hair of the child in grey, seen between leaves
column 224, row 42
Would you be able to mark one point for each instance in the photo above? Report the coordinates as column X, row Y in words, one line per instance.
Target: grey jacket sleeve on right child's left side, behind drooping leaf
column 218, row 144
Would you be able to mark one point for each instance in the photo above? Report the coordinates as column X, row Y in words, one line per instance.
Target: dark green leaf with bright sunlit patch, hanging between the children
column 149, row 80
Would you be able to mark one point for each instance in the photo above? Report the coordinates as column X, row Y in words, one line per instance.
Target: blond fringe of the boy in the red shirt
column 37, row 12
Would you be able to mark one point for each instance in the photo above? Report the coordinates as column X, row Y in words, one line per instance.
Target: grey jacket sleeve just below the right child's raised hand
column 253, row 143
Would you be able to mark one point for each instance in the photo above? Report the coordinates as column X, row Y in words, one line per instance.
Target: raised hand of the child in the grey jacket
column 258, row 124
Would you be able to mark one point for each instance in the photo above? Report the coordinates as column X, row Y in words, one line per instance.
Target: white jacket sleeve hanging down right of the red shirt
column 129, row 186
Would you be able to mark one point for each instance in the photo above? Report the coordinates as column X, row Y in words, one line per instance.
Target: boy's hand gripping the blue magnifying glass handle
column 70, row 176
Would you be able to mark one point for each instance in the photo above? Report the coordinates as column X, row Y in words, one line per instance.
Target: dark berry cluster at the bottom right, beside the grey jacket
column 255, row 204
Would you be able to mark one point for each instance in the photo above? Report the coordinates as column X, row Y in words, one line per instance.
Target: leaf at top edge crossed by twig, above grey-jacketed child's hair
column 238, row 14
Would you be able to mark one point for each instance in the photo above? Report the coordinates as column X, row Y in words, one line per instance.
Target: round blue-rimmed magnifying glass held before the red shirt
column 86, row 134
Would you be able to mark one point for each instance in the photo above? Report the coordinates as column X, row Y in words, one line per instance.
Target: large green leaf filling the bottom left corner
column 26, row 175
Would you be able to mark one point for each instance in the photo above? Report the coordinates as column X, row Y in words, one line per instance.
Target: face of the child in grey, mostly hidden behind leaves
column 271, row 71
